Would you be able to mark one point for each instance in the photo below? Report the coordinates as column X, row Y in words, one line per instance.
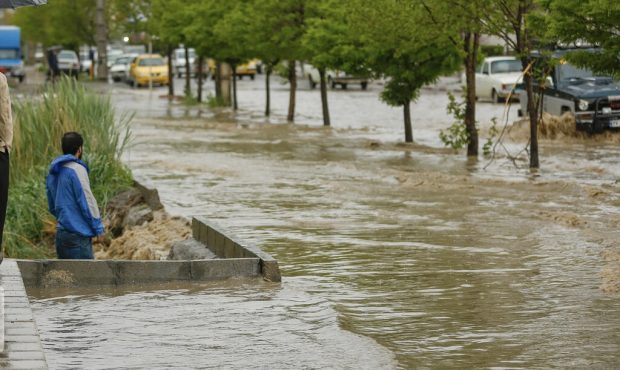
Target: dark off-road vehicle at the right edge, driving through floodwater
column 593, row 99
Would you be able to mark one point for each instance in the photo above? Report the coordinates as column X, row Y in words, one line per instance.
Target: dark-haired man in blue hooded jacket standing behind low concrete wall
column 71, row 201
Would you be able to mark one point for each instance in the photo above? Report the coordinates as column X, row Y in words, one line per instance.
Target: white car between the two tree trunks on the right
column 497, row 77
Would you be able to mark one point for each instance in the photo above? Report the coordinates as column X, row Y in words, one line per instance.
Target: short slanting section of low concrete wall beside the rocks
column 227, row 247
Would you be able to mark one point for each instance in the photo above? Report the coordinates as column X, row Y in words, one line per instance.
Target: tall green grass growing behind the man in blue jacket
column 39, row 123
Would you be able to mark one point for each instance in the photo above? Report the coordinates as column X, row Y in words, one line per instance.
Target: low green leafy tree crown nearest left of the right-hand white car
column 401, row 42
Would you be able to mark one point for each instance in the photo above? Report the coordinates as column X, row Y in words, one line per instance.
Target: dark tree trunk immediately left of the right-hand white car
column 471, row 43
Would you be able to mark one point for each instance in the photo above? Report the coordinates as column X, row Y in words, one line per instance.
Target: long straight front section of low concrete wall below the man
column 73, row 273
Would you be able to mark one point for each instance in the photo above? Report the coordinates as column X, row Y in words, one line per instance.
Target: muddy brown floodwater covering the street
column 392, row 255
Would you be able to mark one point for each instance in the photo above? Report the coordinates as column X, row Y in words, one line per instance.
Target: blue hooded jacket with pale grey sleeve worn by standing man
column 70, row 199
